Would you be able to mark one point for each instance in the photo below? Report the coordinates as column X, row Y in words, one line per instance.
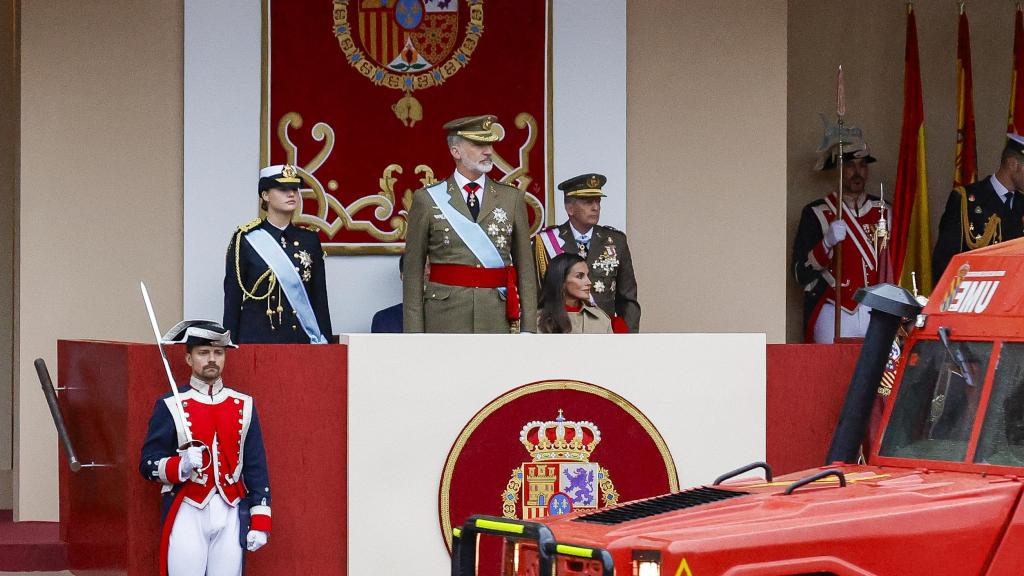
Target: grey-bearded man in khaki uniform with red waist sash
column 476, row 233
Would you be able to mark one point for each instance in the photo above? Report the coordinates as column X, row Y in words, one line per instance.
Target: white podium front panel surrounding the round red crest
column 405, row 416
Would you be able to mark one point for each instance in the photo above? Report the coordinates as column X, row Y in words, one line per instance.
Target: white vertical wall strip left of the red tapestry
column 222, row 140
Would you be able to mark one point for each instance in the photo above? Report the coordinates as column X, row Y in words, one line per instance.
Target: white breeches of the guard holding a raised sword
column 205, row 542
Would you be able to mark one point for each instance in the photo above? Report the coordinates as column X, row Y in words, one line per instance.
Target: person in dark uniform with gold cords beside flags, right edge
column 986, row 213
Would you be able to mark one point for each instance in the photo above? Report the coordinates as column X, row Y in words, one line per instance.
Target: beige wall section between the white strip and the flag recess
column 707, row 164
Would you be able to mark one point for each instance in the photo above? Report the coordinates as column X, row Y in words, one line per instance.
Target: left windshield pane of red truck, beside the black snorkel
column 937, row 401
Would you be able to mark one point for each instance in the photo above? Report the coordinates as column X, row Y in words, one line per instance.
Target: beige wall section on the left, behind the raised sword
column 102, row 164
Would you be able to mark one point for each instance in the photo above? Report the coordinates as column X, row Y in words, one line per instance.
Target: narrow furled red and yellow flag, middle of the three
column 966, row 164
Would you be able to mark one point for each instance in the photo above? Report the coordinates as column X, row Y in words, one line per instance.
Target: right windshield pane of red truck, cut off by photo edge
column 1003, row 434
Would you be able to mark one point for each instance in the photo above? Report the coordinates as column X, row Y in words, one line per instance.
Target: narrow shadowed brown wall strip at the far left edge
column 9, row 197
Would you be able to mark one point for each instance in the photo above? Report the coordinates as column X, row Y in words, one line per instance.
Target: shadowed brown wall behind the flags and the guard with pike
column 868, row 38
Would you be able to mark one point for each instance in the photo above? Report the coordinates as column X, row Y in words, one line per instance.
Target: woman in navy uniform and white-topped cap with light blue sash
column 275, row 283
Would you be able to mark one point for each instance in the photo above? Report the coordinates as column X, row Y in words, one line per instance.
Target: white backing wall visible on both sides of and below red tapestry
column 222, row 140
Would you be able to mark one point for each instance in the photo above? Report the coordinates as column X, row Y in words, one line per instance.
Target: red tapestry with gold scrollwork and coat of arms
column 356, row 94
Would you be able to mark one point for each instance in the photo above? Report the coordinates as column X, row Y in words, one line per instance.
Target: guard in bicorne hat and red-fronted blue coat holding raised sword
column 217, row 492
